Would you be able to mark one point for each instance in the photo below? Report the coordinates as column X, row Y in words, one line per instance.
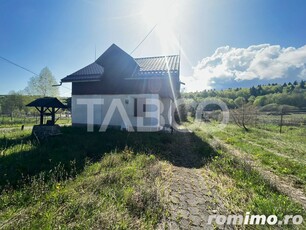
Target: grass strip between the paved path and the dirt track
column 243, row 189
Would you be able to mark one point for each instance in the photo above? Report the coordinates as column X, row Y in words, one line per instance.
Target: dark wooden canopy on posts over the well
column 47, row 106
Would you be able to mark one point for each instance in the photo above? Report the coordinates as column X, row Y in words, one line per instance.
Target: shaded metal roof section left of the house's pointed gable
column 92, row 72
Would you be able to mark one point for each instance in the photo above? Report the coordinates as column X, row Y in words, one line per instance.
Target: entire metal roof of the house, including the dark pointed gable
column 115, row 62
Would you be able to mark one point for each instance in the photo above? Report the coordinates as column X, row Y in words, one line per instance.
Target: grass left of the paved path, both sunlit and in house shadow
column 85, row 180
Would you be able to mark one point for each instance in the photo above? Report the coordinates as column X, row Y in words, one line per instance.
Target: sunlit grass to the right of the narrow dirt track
column 284, row 154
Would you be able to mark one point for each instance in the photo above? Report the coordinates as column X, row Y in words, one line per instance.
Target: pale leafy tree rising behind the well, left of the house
column 41, row 85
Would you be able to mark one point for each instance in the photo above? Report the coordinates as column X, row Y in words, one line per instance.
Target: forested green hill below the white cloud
column 293, row 94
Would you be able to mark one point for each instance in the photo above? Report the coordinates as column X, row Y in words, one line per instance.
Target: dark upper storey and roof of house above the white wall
column 122, row 74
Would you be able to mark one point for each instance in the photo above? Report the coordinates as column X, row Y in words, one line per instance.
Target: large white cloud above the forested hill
column 262, row 62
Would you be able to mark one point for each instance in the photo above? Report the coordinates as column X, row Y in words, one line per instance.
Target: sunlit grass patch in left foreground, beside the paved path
column 118, row 192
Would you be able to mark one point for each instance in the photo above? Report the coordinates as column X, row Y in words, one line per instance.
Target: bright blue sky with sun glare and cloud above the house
column 224, row 43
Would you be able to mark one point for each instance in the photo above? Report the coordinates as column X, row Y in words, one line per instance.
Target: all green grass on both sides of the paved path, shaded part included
column 114, row 180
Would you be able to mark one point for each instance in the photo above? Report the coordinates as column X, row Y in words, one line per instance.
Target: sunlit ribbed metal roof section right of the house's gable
column 158, row 66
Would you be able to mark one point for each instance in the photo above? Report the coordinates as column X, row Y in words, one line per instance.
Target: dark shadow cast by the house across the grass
column 180, row 149
